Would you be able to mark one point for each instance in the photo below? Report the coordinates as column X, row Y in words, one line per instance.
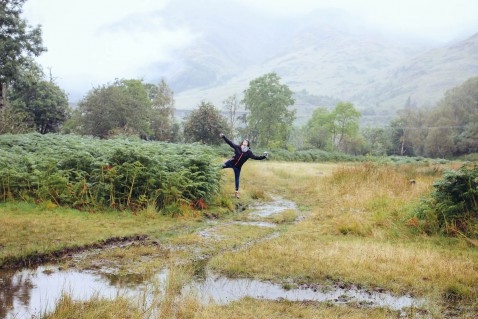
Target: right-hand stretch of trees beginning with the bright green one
column 445, row 130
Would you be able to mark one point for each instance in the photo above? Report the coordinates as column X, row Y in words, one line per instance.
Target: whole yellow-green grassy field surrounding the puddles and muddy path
column 359, row 229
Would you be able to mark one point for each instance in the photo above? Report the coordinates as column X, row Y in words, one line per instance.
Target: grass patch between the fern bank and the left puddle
column 31, row 234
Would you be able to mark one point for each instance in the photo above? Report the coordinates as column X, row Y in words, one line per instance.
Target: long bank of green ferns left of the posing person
column 119, row 173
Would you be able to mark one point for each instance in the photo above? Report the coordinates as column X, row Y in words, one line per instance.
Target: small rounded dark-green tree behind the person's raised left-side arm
column 204, row 124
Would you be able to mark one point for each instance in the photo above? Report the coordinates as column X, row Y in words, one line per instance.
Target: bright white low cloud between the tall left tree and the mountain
column 93, row 42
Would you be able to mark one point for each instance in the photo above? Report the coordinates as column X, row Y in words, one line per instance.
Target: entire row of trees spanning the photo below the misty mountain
column 32, row 101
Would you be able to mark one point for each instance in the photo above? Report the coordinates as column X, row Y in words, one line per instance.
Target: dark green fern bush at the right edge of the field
column 453, row 205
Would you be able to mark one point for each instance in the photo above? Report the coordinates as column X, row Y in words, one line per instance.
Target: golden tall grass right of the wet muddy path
column 360, row 229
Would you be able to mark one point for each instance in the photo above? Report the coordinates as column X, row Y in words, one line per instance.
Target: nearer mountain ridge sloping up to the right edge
column 426, row 77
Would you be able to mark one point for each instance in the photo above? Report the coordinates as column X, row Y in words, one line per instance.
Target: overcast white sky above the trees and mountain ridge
column 89, row 44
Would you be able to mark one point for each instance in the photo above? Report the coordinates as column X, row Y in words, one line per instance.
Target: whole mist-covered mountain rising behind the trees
column 325, row 56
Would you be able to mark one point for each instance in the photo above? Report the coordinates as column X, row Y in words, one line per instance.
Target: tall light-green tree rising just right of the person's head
column 269, row 122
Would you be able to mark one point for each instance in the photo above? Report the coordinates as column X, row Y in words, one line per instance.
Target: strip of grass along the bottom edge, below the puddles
column 192, row 308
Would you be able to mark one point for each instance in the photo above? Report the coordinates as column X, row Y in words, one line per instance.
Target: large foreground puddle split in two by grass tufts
column 28, row 293
